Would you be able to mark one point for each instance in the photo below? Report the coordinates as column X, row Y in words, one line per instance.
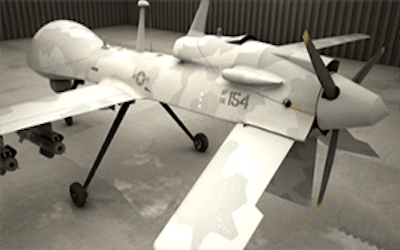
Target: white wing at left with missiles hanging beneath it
column 71, row 103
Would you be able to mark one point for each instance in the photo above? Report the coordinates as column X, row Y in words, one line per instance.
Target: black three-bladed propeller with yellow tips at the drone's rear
column 331, row 92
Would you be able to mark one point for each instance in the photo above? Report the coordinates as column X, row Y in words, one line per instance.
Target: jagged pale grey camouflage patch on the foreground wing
column 222, row 208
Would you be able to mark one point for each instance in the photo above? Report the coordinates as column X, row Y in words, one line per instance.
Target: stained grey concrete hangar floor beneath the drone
column 151, row 166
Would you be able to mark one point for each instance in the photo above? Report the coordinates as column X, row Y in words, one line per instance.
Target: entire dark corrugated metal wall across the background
column 274, row 21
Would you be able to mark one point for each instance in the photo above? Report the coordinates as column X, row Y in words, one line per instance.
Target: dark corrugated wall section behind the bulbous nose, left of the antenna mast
column 22, row 18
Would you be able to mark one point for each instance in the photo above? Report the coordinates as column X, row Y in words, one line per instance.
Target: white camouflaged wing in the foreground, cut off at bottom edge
column 220, row 210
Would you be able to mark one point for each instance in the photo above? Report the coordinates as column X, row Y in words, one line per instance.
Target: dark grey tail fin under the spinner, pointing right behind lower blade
column 349, row 143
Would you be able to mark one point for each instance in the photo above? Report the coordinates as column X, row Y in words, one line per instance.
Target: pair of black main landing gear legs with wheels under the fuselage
column 79, row 193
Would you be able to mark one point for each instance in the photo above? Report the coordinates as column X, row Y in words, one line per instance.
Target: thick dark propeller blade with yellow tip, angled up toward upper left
column 330, row 89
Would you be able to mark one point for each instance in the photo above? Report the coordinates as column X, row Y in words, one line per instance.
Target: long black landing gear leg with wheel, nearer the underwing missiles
column 77, row 191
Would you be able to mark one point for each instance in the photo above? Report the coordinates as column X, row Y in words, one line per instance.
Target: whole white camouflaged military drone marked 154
column 279, row 97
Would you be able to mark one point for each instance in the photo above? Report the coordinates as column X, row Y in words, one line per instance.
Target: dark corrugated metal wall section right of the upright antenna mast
column 284, row 21
